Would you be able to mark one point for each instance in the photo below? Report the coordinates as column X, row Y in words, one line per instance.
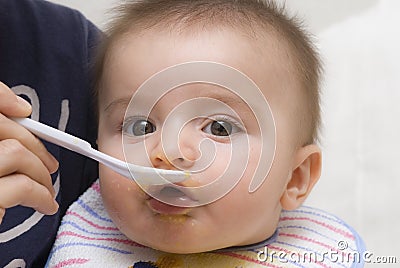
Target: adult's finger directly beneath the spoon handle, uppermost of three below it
column 11, row 130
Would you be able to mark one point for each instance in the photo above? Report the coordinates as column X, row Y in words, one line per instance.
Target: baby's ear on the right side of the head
column 306, row 172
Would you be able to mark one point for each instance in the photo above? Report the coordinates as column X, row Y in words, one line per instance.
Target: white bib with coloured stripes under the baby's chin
column 306, row 237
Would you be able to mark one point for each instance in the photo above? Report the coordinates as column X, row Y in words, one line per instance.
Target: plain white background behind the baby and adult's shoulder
column 360, row 42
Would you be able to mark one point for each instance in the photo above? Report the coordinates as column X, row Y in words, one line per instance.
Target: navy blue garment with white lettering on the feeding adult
column 45, row 54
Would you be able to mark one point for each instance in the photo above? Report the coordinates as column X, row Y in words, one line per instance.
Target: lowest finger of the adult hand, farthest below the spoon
column 18, row 189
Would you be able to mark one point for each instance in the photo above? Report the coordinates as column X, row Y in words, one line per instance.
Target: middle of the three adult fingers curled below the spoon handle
column 15, row 158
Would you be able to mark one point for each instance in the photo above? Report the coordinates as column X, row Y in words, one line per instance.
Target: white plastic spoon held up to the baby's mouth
column 142, row 175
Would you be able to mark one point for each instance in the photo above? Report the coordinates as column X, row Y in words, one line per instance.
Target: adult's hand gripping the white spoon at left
column 25, row 164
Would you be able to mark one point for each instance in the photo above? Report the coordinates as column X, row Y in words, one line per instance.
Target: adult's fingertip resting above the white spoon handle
column 11, row 104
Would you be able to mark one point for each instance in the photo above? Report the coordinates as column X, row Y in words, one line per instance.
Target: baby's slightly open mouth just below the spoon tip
column 170, row 199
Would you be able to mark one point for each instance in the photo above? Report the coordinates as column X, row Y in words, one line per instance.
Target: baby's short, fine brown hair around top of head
column 248, row 15
